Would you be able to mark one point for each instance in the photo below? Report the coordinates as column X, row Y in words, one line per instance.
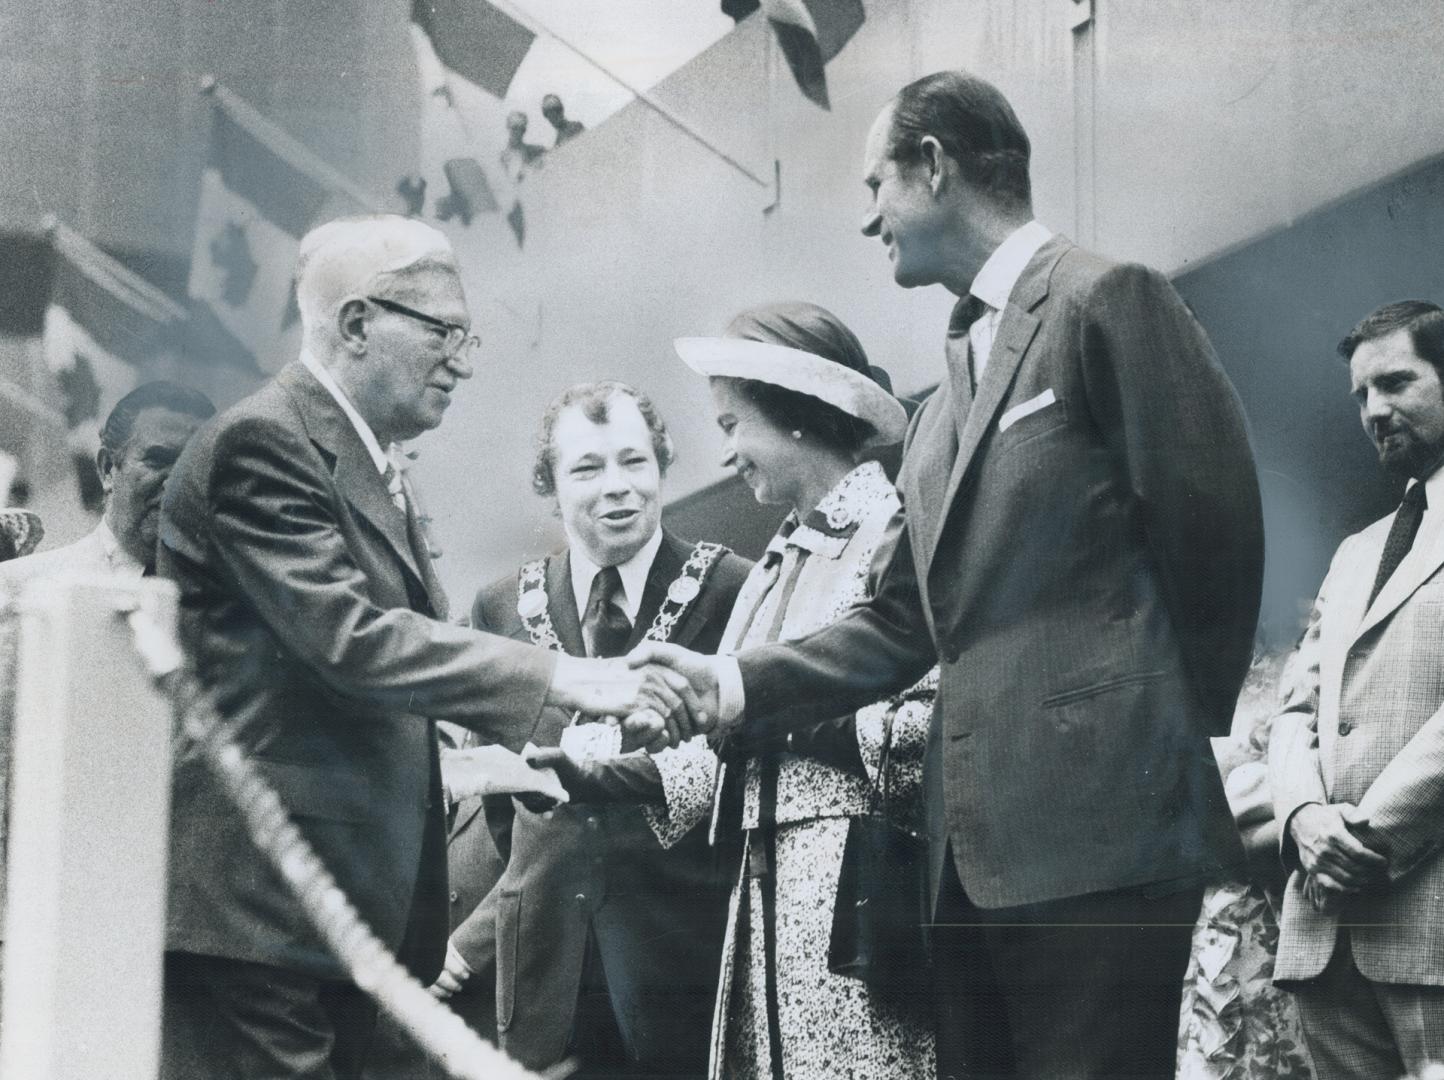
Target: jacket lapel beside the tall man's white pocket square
column 1016, row 333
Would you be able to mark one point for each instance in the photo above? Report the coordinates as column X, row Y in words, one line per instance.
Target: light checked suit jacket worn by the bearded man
column 1364, row 724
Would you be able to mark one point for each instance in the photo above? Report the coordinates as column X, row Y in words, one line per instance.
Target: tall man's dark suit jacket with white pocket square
column 1084, row 558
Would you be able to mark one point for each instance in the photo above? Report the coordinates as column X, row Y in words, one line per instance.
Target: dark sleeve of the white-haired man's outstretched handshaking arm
column 275, row 525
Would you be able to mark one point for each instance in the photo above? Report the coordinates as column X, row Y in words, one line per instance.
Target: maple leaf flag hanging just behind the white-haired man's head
column 261, row 193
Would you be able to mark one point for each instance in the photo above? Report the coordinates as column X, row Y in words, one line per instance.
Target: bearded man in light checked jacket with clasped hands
column 1358, row 752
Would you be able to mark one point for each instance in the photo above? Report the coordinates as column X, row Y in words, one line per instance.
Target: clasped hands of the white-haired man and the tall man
column 662, row 695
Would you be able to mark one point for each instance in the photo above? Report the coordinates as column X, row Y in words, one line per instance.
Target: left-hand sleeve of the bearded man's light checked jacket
column 1293, row 750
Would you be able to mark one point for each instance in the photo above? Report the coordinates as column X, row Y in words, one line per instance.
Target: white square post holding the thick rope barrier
column 84, row 931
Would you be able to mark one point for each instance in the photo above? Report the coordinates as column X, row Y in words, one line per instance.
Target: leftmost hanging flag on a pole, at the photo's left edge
column 105, row 324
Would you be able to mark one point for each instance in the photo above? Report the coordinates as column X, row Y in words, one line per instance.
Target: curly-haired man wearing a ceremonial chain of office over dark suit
column 601, row 944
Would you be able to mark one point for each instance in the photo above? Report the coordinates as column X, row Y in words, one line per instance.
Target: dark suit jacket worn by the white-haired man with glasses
column 310, row 623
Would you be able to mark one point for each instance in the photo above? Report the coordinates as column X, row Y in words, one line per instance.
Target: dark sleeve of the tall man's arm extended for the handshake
column 880, row 648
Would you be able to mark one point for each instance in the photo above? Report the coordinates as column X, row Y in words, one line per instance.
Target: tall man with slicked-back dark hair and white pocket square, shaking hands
column 1084, row 558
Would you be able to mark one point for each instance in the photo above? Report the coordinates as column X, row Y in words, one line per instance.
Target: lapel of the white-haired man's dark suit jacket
column 353, row 469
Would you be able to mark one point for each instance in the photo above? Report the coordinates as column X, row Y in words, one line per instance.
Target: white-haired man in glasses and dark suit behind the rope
column 317, row 624
